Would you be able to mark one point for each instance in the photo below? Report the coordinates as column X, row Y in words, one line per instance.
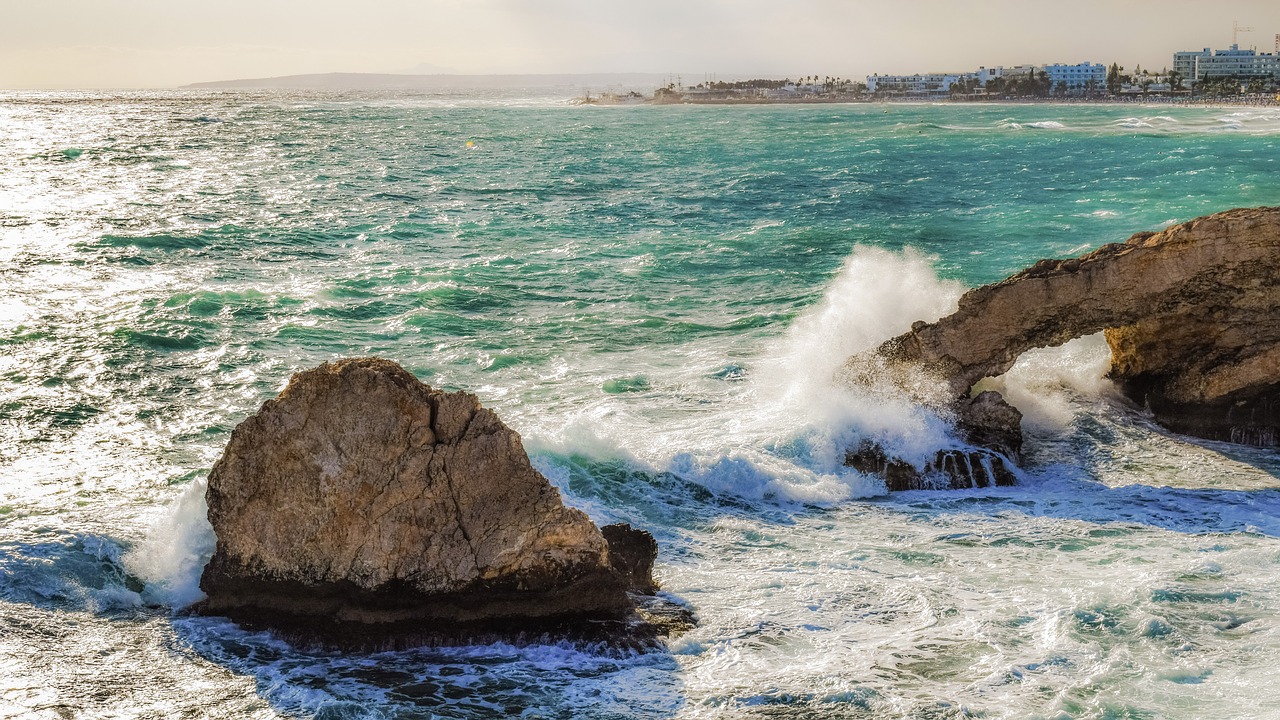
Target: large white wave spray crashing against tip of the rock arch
column 783, row 434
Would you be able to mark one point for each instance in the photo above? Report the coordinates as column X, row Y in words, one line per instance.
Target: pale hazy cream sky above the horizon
column 61, row 44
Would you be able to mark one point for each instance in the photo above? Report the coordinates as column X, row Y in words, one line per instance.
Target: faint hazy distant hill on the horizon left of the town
column 380, row 81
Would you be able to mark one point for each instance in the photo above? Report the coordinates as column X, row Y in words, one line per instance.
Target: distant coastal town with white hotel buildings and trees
column 1197, row 76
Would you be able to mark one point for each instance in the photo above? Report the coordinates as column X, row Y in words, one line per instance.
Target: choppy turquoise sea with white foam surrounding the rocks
column 660, row 300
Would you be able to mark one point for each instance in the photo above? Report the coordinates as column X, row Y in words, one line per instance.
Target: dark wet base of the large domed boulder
column 396, row 617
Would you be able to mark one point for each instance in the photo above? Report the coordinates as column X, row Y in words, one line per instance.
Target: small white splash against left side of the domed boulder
column 173, row 554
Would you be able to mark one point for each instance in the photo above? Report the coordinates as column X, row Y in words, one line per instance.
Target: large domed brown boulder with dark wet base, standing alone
column 362, row 499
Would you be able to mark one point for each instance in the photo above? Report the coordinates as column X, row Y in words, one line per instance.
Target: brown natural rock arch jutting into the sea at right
column 1192, row 316
